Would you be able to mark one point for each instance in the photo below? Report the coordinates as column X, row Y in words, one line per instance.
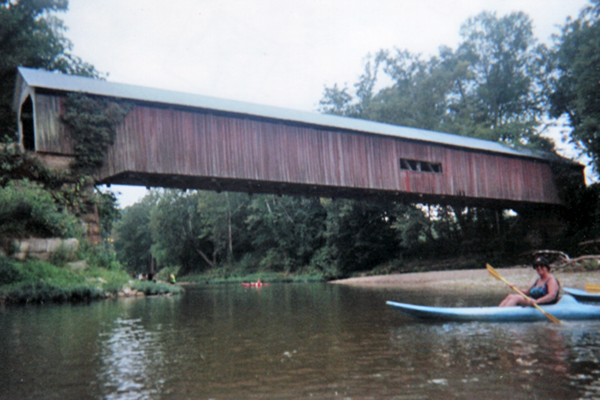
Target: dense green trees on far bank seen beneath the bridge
column 229, row 235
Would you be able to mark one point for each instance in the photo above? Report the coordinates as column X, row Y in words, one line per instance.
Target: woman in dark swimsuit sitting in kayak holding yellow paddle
column 544, row 290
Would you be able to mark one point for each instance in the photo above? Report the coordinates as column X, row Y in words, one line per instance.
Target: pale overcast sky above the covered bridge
column 273, row 52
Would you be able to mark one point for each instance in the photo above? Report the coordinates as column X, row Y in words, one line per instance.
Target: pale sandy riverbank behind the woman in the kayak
column 470, row 280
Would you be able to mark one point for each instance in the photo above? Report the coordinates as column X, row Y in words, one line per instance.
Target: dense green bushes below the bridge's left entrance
column 39, row 202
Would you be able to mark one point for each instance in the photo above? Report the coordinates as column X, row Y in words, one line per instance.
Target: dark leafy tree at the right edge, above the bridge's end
column 576, row 90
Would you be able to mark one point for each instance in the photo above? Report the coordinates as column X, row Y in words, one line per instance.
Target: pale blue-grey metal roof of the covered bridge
column 71, row 83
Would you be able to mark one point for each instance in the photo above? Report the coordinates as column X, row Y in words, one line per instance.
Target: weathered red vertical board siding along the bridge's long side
column 163, row 141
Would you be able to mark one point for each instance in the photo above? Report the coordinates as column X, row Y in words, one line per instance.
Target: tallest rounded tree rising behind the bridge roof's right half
column 506, row 75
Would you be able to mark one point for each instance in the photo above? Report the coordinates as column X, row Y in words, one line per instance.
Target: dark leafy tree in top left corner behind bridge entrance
column 32, row 36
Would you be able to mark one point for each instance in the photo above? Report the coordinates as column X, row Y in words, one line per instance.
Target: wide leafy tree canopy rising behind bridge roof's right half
column 491, row 87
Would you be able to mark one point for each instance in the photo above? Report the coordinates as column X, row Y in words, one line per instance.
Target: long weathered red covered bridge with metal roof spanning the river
column 184, row 141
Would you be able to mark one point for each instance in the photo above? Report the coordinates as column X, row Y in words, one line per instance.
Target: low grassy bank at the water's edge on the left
column 99, row 277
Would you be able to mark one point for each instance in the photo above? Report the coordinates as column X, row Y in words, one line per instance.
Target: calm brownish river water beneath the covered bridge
column 317, row 341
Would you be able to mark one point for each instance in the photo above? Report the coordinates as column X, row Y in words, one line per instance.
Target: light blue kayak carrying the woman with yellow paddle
column 567, row 309
